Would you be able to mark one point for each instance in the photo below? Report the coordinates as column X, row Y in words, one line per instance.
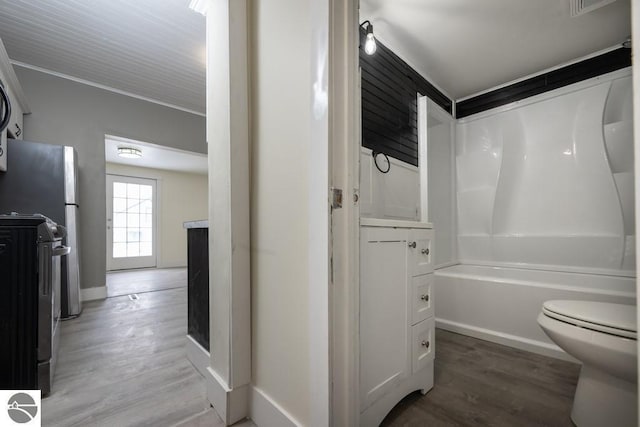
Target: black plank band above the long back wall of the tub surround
column 583, row 70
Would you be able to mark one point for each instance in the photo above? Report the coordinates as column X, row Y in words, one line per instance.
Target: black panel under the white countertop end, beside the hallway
column 198, row 285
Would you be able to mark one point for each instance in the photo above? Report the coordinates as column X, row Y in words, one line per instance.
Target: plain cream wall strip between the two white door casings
column 281, row 96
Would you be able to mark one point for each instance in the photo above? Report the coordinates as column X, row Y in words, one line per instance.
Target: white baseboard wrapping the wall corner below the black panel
column 232, row 405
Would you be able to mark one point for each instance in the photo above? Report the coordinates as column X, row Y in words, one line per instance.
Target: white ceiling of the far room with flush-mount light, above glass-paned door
column 155, row 156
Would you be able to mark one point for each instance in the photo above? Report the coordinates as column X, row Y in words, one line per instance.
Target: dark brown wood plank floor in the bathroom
column 478, row 383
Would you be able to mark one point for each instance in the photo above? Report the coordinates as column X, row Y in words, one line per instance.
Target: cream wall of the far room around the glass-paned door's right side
column 181, row 197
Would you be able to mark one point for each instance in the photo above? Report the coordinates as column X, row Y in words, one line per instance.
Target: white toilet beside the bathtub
column 603, row 336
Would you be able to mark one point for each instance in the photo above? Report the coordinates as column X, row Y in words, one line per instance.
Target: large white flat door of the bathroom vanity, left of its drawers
column 385, row 344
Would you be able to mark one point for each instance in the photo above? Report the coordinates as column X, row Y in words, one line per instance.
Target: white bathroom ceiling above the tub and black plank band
column 468, row 46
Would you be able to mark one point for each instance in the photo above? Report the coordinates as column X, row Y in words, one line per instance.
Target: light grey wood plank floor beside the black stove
column 123, row 363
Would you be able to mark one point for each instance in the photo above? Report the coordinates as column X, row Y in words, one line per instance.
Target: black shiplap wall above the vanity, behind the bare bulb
column 389, row 108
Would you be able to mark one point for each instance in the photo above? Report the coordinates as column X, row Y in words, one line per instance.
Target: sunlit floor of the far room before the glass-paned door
column 127, row 282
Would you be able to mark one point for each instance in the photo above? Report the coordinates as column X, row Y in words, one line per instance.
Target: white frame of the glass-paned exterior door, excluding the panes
column 123, row 264
